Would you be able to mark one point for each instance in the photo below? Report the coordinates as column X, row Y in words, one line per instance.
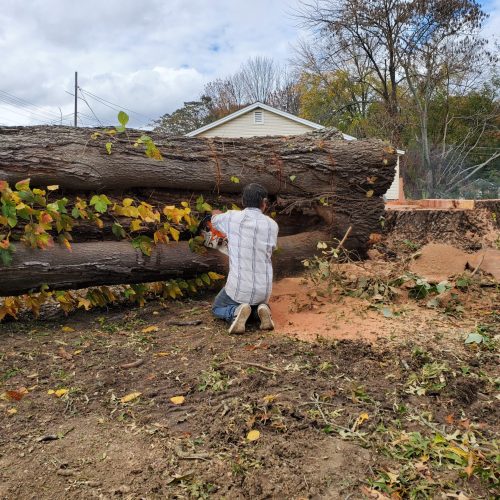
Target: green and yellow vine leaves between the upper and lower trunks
column 37, row 219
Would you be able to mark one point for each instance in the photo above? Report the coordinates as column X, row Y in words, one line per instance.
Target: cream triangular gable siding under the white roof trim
column 244, row 126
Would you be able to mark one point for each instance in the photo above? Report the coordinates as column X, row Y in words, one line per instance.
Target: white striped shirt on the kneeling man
column 251, row 237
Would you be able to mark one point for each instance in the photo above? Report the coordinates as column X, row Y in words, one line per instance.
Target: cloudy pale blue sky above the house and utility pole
column 147, row 56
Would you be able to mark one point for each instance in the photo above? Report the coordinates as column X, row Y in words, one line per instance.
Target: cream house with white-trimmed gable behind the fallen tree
column 259, row 119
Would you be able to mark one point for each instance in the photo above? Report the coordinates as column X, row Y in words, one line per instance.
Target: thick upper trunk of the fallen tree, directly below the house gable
column 311, row 163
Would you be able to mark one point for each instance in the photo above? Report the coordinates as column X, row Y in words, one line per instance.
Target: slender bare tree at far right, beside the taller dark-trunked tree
column 442, row 53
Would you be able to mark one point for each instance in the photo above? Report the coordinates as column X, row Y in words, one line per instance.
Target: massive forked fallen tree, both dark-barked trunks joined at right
column 316, row 181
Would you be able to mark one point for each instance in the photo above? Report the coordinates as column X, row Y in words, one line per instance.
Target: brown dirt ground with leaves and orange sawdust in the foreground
column 352, row 397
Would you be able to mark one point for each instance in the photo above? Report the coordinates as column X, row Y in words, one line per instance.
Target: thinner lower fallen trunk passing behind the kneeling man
column 111, row 263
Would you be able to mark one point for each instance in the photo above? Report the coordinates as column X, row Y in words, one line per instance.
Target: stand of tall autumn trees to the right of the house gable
column 406, row 71
